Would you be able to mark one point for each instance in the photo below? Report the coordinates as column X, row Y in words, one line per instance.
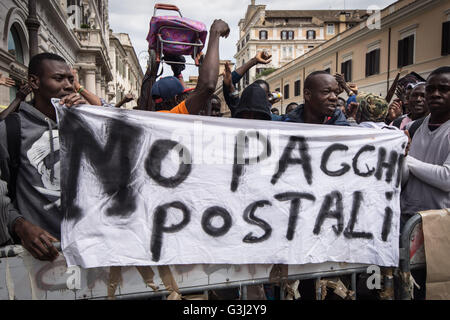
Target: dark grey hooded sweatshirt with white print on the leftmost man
column 38, row 180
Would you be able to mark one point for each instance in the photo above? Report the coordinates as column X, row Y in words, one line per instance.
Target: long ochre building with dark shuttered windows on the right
column 409, row 35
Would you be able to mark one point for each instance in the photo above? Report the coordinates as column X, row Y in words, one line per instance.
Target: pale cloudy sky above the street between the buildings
column 133, row 17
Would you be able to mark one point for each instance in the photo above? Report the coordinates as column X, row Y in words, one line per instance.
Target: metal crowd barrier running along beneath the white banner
column 20, row 273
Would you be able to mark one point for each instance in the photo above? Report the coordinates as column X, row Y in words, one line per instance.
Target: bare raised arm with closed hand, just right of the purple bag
column 209, row 70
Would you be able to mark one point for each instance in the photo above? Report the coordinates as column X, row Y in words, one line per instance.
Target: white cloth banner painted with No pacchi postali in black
column 143, row 188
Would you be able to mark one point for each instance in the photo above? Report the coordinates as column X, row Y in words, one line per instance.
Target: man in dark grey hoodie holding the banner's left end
column 29, row 160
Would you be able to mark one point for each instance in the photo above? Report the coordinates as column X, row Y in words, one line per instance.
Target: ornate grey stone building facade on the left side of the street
column 77, row 30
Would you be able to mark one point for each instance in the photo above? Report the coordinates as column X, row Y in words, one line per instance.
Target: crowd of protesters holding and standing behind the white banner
column 29, row 147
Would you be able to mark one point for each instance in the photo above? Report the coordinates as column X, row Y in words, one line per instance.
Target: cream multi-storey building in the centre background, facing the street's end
column 287, row 34
